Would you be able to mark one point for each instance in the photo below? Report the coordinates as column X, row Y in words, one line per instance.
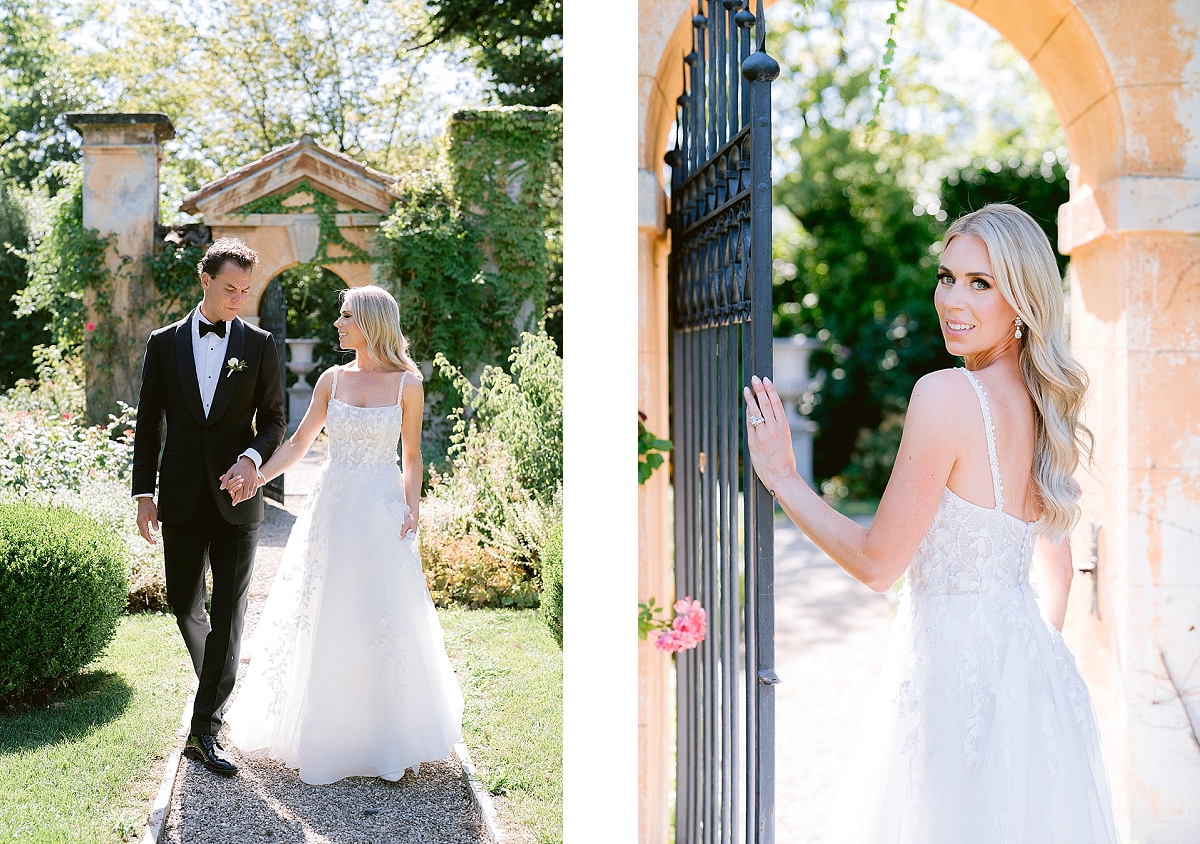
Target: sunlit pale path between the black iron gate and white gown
column 831, row 637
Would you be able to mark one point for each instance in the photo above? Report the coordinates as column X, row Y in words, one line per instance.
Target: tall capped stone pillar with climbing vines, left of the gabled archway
column 122, row 154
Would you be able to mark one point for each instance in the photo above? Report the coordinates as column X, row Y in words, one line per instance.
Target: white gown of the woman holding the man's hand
column 349, row 674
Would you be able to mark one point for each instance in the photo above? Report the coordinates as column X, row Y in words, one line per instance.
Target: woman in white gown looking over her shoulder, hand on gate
column 985, row 732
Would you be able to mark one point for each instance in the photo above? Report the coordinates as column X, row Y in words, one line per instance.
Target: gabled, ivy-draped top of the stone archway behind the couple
column 299, row 205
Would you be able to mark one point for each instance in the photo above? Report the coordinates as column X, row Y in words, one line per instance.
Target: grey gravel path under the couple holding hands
column 267, row 801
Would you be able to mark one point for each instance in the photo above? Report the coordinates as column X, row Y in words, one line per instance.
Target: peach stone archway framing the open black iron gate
column 1123, row 80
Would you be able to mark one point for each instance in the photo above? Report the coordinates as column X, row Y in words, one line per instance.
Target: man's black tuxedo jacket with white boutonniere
column 247, row 412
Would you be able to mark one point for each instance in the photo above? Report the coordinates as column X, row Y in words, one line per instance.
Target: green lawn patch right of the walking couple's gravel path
column 512, row 675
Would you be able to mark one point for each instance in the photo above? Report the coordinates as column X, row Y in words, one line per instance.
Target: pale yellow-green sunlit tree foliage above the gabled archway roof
column 243, row 77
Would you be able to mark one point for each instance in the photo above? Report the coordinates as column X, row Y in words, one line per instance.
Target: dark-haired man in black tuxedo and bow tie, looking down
column 218, row 381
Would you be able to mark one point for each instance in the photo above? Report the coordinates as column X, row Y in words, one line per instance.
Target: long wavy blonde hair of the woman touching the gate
column 1028, row 277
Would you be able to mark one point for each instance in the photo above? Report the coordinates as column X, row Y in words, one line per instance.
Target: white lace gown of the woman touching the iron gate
column 983, row 732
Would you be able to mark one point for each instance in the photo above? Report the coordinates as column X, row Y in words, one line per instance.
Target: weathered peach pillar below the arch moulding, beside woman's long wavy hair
column 1136, row 322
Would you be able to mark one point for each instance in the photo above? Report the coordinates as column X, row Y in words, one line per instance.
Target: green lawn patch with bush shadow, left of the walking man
column 83, row 769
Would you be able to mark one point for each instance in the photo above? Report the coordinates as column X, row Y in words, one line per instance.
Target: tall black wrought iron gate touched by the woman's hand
column 722, row 334
